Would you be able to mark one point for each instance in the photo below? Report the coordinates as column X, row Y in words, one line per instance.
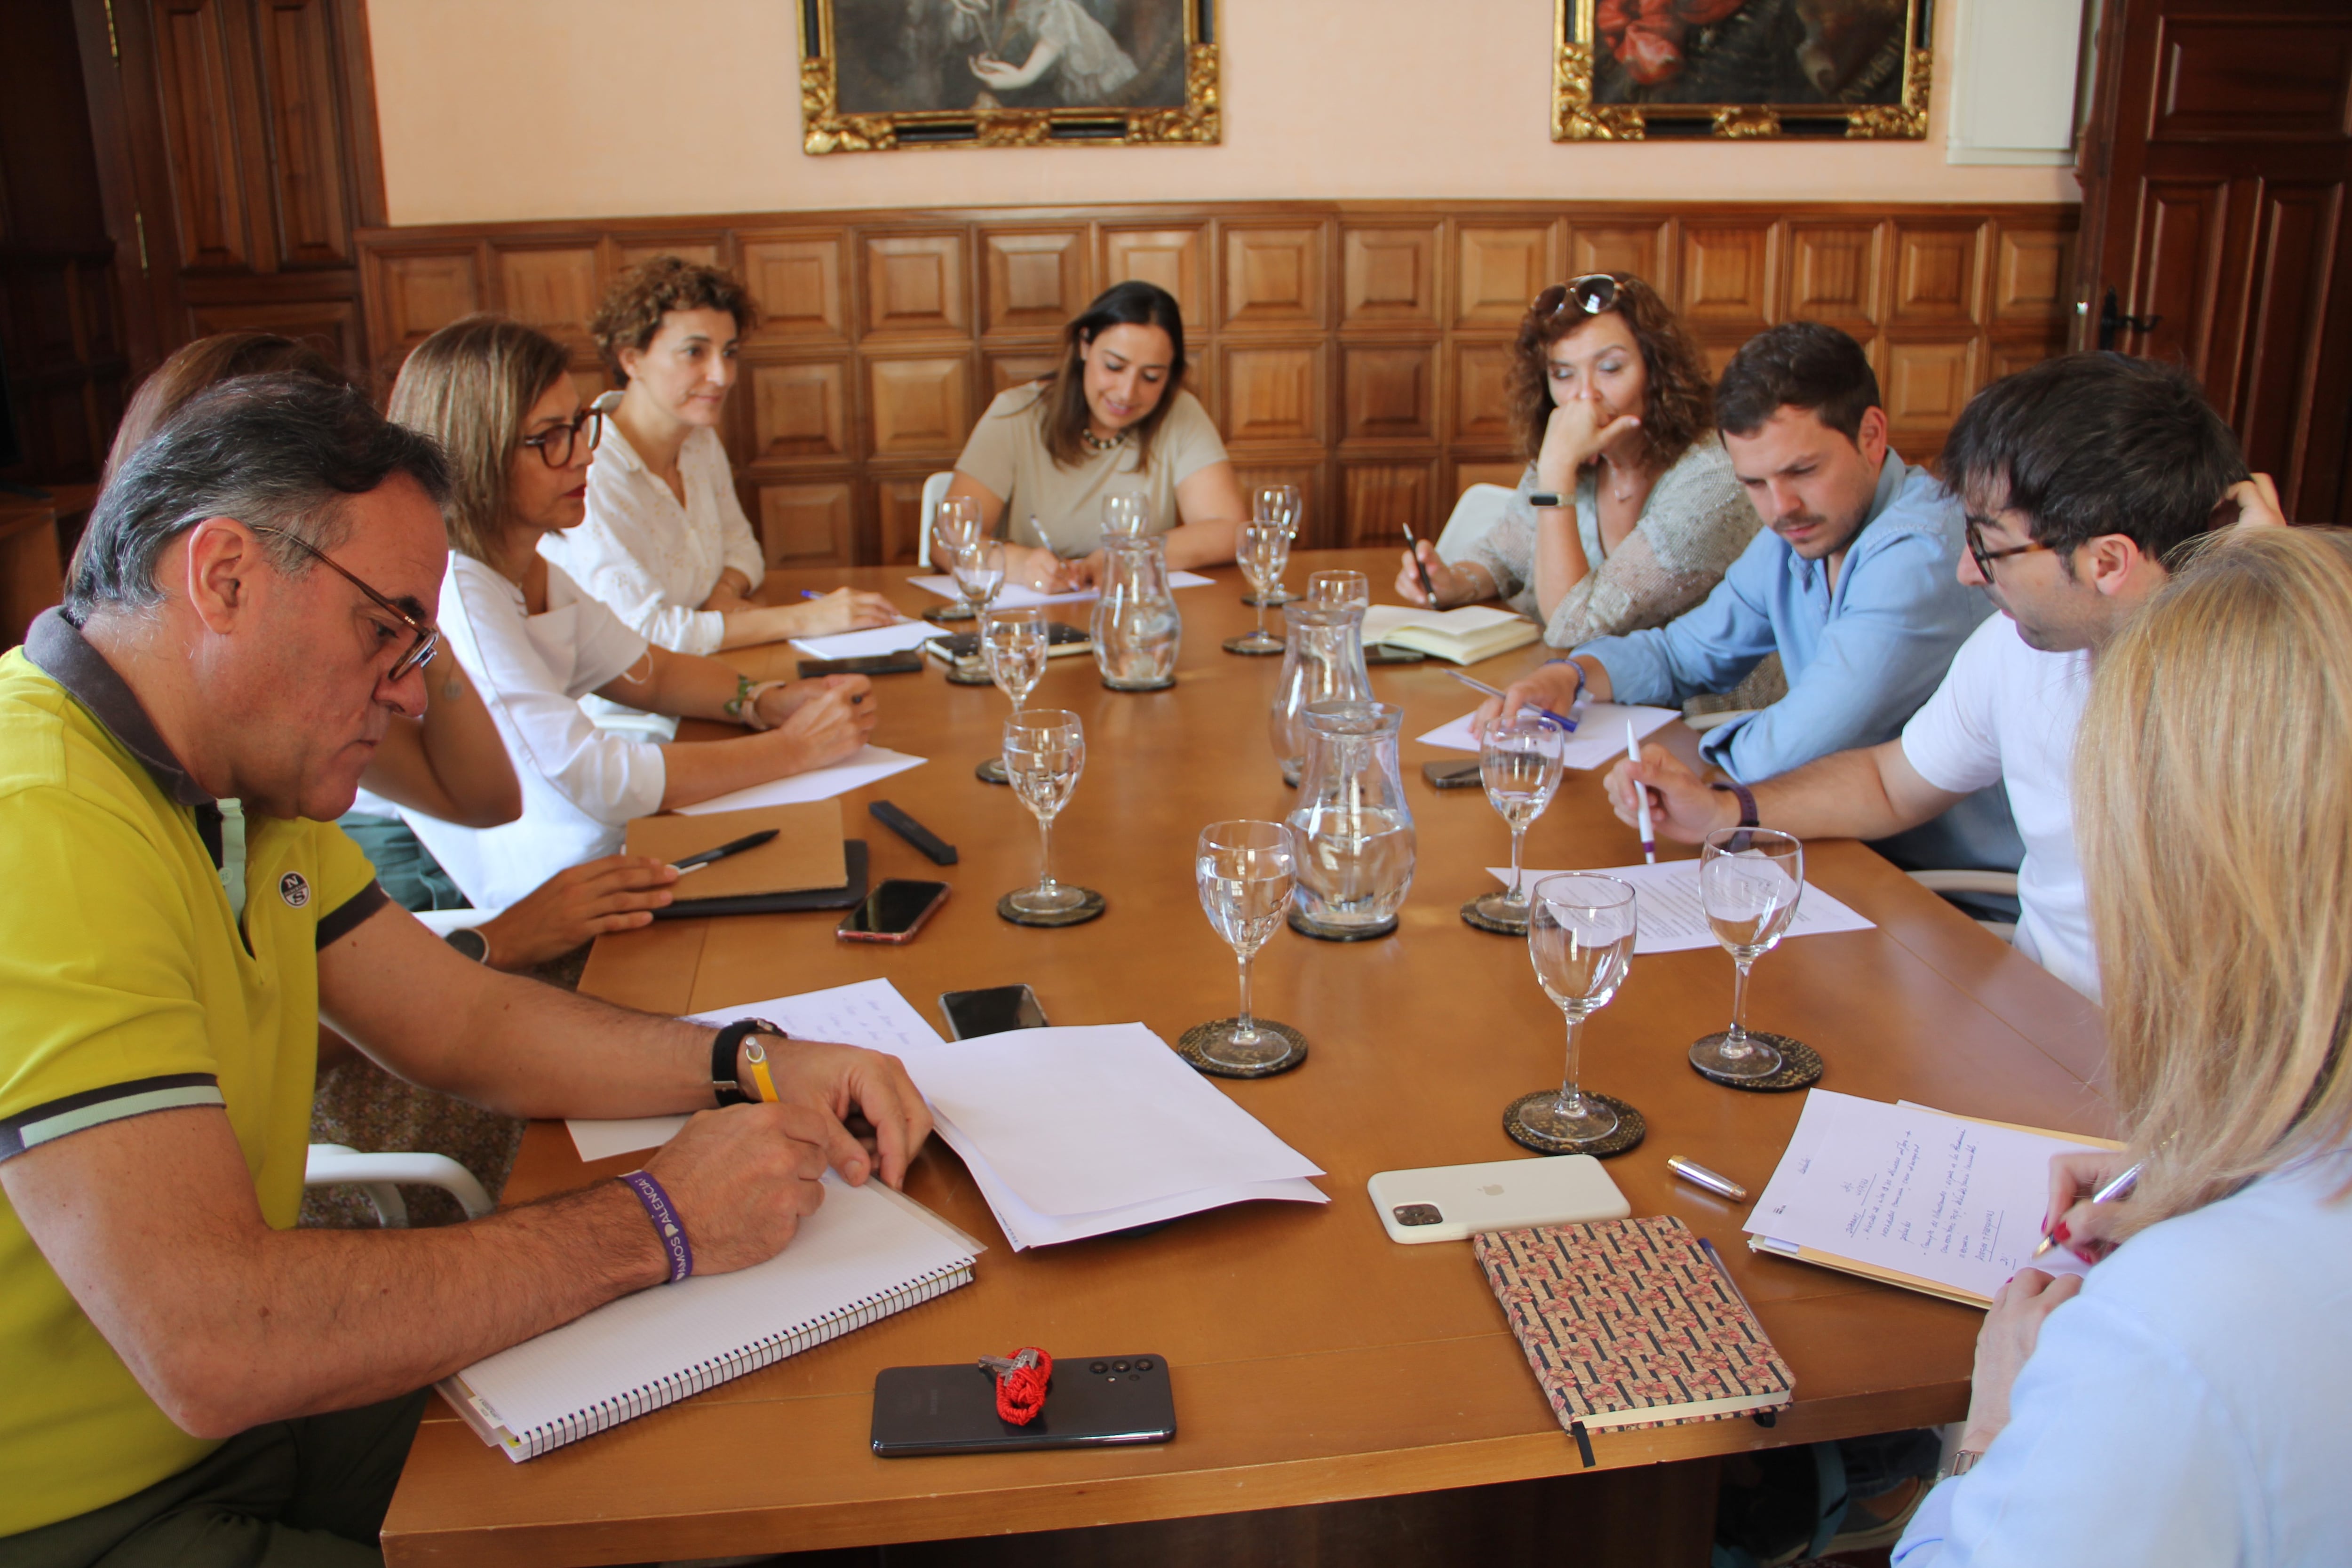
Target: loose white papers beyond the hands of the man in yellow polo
column 1067, row 1132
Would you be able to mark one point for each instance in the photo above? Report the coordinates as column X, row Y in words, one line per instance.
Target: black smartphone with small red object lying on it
column 1093, row 1402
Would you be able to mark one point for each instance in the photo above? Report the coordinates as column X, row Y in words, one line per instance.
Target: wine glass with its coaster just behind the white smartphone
column 1579, row 937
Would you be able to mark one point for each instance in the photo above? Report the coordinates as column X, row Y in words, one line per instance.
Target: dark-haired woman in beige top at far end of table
column 1111, row 422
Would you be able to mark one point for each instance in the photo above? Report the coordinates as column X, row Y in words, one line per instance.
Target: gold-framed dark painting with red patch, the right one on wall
column 1742, row 69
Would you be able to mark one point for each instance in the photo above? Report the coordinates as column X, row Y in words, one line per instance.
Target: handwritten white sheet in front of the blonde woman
column 1913, row 1191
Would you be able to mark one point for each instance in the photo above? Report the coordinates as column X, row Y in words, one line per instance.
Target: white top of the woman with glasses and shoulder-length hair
column 580, row 784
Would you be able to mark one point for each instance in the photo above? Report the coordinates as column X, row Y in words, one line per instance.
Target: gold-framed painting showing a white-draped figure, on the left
column 1005, row 74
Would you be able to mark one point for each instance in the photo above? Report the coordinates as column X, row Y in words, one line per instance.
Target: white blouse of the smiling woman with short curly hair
column 650, row 558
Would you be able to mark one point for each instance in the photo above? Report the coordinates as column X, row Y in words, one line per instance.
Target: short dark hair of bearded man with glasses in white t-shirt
column 2097, row 443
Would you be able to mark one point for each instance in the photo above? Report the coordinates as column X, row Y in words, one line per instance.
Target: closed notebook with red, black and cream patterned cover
column 1629, row 1325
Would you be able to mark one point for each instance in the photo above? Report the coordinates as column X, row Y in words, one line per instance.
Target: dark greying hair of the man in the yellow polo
column 279, row 450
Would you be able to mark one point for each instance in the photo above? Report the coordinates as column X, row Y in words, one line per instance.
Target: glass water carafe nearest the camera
column 1354, row 824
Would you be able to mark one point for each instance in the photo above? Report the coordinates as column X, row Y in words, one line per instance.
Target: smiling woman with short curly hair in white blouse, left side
column 667, row 542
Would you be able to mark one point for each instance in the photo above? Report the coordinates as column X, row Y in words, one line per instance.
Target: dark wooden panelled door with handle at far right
column 2214, row 220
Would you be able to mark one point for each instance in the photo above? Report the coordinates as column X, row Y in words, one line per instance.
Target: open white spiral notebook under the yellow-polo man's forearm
column 862, row 1257
